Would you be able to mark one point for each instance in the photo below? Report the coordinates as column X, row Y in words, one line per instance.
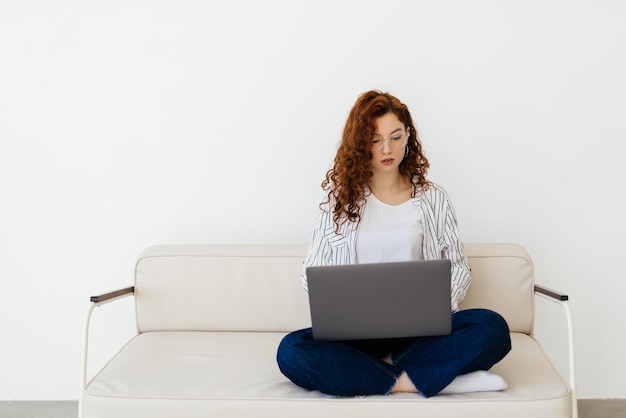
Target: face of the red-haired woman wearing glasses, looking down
column 388, row 144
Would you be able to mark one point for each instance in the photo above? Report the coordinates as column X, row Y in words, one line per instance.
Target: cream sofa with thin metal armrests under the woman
column 209, row 320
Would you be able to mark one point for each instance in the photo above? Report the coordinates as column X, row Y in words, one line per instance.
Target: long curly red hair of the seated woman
column 347, row 181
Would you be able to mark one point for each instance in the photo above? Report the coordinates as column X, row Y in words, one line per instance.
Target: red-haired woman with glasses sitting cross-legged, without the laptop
column 379, row 208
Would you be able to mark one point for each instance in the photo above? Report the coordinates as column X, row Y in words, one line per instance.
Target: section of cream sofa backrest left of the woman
column 221, row 288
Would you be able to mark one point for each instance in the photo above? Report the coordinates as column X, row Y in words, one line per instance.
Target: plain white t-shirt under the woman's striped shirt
column 390, row 232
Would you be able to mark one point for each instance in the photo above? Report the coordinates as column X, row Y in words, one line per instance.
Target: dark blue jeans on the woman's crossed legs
column 480, row 338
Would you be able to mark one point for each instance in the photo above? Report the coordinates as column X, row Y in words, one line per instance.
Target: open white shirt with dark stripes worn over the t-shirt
column 441, row 240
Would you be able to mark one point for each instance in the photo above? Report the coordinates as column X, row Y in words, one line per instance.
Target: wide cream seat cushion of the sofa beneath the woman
column 235, row 374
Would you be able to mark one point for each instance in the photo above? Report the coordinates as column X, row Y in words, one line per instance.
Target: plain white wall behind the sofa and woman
column 130, row 123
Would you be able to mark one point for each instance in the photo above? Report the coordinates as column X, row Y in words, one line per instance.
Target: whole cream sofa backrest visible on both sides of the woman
column 257, row 287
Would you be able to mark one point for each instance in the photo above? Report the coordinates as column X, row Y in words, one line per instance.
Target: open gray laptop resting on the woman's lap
column 381, row 300
